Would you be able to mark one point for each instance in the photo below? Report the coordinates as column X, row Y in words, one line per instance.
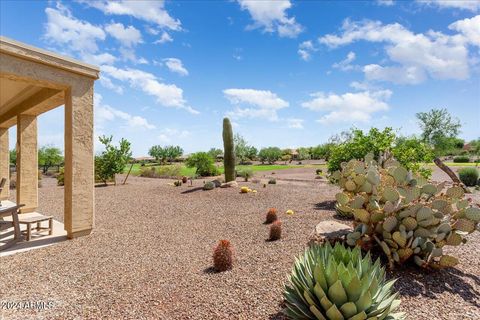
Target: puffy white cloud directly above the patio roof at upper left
column 64, row 29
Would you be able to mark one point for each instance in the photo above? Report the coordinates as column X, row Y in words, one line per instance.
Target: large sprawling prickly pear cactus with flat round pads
column 407, row 217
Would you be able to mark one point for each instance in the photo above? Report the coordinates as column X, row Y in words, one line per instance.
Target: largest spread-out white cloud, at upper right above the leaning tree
column 419, row 56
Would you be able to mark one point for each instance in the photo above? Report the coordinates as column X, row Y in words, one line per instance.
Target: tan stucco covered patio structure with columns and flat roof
column 34, row 81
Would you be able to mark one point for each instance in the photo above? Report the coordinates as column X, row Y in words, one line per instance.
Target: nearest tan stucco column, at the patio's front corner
column 79, row 168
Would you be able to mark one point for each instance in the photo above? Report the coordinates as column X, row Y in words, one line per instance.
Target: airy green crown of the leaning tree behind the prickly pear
column 437, row 126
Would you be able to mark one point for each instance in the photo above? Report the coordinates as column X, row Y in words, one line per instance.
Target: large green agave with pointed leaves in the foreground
column 337, row 283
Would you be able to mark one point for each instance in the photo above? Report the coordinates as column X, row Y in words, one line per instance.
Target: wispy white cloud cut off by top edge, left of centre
column 146, row 10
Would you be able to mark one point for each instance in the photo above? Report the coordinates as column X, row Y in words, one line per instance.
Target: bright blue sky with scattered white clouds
column 287, row 73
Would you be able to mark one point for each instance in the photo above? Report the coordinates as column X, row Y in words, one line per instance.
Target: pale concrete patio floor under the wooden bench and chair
column 38, row 240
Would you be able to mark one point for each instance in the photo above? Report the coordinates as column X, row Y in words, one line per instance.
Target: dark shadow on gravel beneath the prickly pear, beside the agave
column 414, row 282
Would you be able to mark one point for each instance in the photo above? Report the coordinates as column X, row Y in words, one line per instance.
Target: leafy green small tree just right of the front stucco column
column 112, row 160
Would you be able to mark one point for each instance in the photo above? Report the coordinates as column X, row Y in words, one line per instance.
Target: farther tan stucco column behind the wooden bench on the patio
column 27, row 162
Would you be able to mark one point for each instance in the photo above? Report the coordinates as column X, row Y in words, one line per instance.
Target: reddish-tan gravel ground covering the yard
column 149, row 257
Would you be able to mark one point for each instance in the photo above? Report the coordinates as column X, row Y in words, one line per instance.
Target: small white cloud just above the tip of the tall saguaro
column 262, row 103
